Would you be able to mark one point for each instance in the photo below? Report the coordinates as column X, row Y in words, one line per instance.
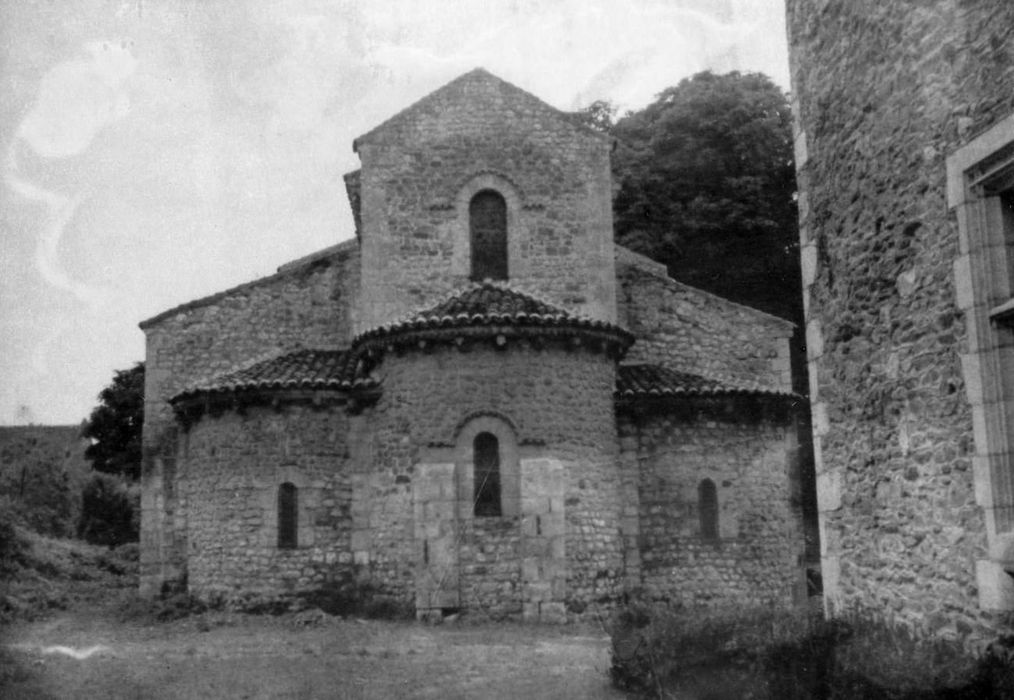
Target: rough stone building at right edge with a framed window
column 905, row 152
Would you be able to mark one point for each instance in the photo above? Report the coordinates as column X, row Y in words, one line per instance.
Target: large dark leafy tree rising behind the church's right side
column 707, row 186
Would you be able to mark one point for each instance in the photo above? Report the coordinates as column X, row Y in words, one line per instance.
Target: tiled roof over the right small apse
column 655, row 382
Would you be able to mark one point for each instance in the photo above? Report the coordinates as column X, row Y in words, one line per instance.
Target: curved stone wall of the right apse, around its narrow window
column 758, row 558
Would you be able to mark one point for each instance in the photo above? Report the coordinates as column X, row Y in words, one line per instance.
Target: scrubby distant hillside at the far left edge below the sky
column 42, row 473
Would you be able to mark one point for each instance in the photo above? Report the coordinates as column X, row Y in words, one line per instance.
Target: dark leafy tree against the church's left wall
column 115, row 426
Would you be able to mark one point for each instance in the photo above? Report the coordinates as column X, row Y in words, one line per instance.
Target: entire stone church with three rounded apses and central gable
column 479, row 403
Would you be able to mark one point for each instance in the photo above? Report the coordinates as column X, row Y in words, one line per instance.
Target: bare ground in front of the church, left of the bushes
column 307, row 655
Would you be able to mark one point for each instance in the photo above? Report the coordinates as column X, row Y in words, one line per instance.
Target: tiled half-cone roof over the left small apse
column 334, row 370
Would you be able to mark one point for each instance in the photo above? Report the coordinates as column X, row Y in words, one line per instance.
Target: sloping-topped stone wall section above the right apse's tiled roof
column 690, row 330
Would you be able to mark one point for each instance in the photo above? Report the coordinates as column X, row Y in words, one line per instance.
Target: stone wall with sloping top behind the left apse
column 307, row 305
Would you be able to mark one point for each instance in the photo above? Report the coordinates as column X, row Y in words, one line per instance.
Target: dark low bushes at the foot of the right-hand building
column 790, row 656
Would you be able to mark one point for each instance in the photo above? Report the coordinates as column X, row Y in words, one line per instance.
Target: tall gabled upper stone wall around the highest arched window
column 421, row 169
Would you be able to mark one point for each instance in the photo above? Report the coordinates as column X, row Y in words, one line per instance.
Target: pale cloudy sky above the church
column 161, row 151
